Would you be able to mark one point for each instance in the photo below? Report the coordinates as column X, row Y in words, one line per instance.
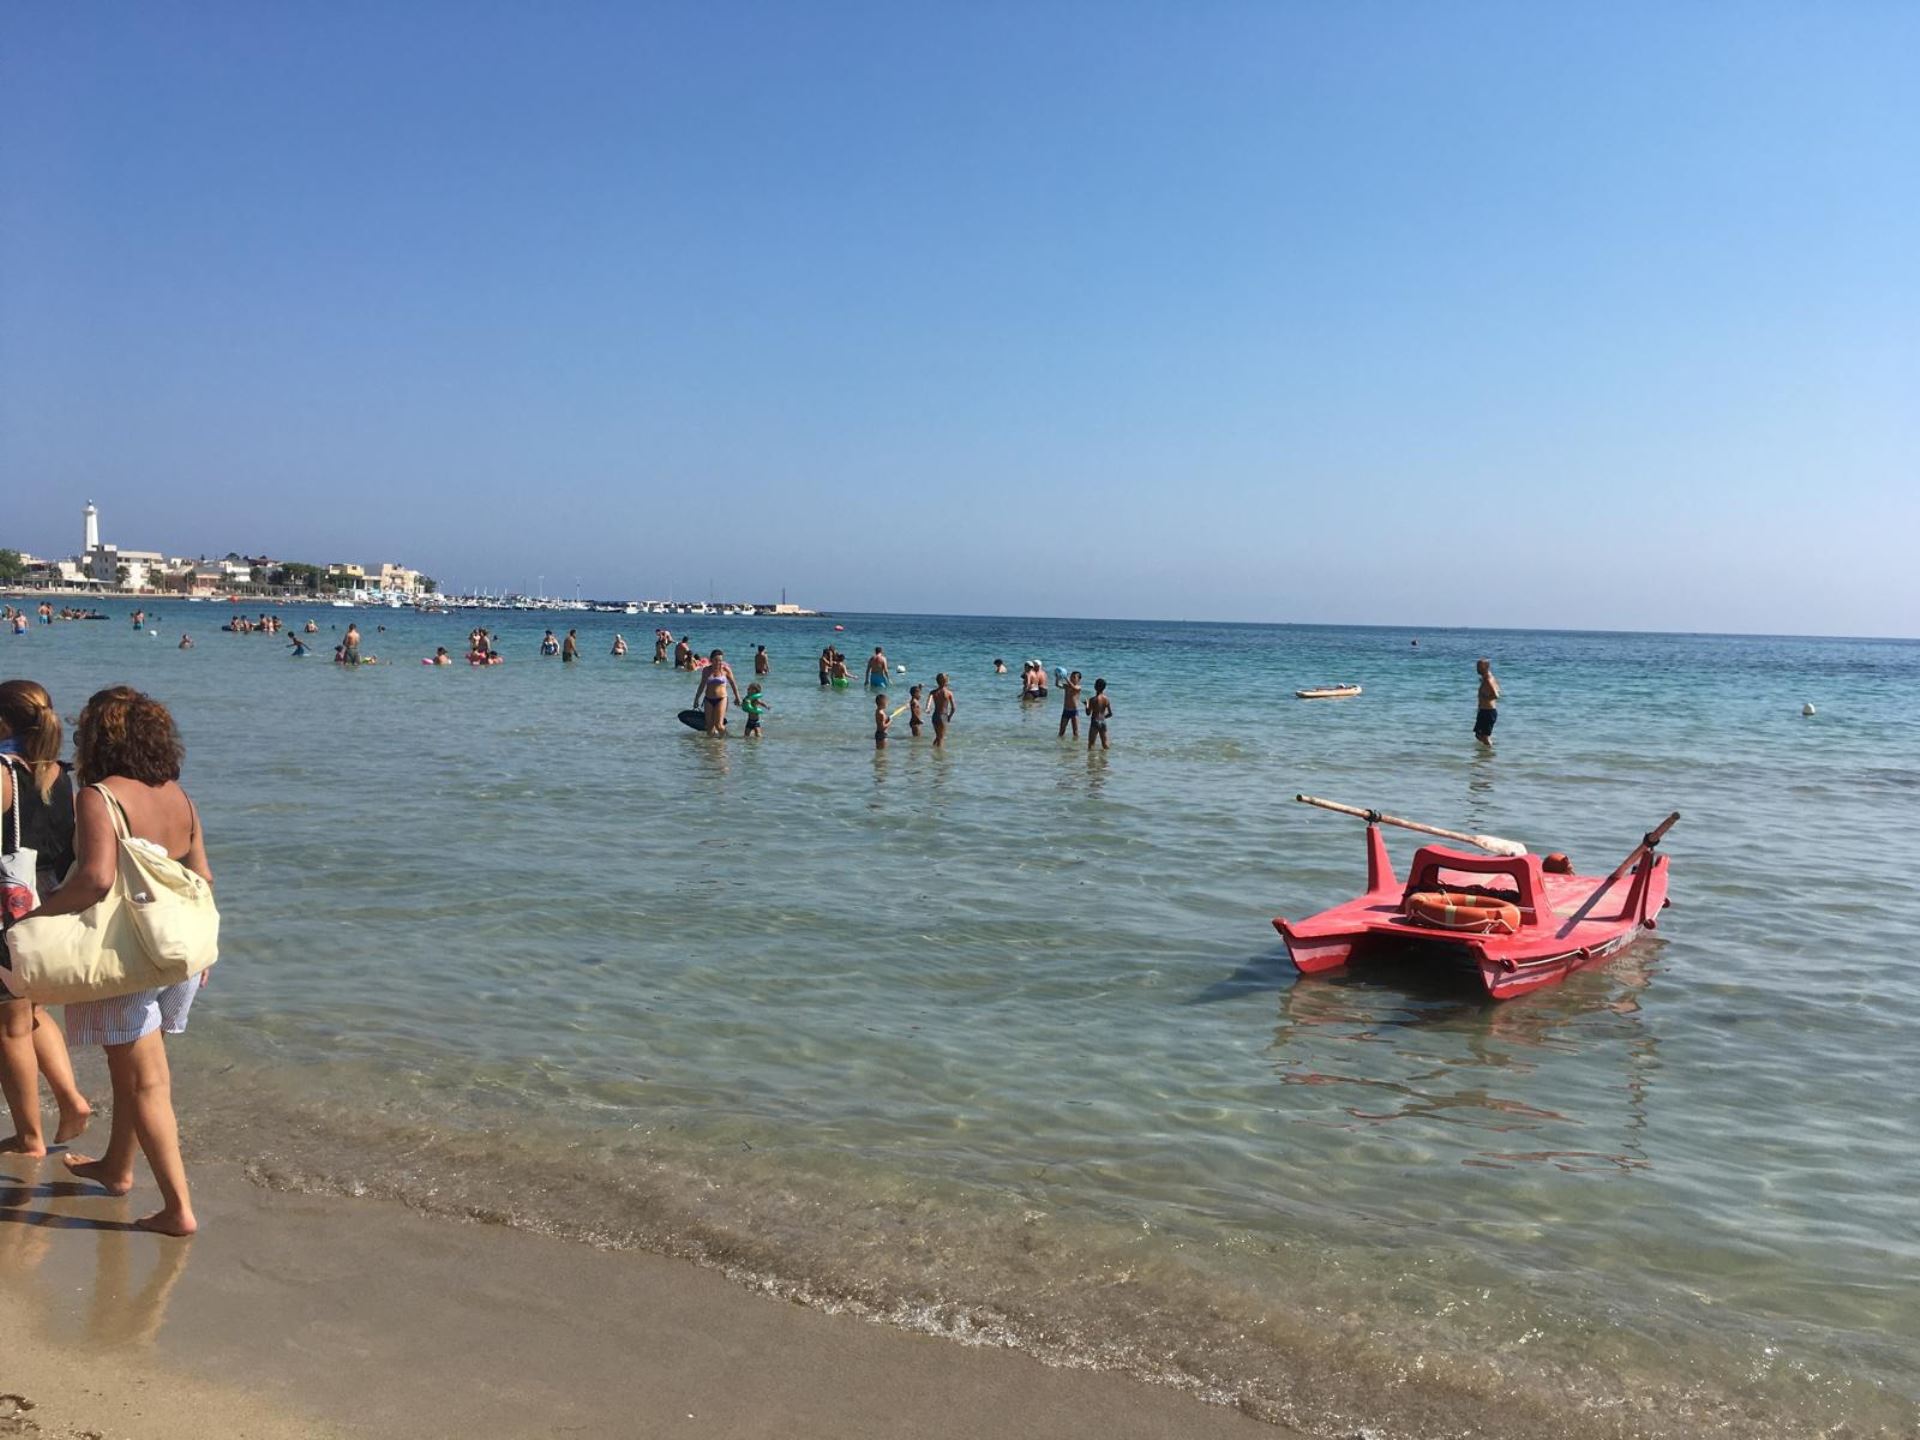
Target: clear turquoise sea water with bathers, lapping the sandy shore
column 1001, row 1042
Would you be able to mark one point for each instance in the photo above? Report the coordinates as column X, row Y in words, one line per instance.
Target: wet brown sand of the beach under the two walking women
column 320, row 1316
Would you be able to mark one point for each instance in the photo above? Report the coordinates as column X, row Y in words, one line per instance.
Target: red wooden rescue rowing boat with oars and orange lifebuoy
column 1520, row 921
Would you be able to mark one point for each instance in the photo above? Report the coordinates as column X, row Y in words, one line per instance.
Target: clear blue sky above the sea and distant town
column 1483, row 314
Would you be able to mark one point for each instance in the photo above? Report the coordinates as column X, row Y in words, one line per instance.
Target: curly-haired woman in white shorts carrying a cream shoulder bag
column 128, row 756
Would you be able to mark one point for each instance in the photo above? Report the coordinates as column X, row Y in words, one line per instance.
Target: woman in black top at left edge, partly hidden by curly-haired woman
column 32, row 1044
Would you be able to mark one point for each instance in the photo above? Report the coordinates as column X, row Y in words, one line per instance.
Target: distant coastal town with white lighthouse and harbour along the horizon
column 105, row 569
